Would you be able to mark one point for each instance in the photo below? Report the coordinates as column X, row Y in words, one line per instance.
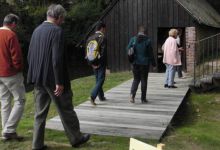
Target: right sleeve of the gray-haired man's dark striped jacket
column 58, row 56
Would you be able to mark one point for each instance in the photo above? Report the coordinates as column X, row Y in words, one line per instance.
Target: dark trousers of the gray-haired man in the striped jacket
column 43, row 96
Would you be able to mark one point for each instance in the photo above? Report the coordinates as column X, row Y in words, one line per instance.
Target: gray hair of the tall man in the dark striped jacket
column 56, row 11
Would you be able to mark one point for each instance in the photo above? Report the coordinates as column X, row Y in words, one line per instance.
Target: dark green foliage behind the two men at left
column 80, row 15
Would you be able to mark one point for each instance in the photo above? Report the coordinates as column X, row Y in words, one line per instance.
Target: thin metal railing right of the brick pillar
column 207, row 59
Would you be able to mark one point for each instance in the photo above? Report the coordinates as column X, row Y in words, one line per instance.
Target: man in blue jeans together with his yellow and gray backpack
column 96, row 55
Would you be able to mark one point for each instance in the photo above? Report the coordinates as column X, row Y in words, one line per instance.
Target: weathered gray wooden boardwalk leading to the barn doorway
column 118, row 117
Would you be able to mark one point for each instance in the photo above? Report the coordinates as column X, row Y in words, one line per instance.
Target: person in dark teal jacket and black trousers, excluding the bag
column 143, row 59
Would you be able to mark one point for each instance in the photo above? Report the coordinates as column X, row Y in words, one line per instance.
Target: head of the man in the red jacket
column 11, row 21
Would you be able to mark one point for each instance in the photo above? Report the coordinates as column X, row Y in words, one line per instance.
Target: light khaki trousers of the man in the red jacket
column 11, row 88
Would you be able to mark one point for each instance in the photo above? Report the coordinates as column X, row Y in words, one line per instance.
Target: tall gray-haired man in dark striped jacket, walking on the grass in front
column 48, row 72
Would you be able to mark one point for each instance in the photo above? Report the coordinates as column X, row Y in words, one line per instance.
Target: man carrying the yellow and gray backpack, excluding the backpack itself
column 99, row 66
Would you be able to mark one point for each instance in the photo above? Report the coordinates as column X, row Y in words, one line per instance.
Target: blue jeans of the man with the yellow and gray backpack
column 100, row 79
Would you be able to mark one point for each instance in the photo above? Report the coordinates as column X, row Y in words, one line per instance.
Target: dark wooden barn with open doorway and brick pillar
column 196, row 18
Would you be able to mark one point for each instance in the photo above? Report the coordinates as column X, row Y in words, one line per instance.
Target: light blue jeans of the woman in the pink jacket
column 170, row 74
